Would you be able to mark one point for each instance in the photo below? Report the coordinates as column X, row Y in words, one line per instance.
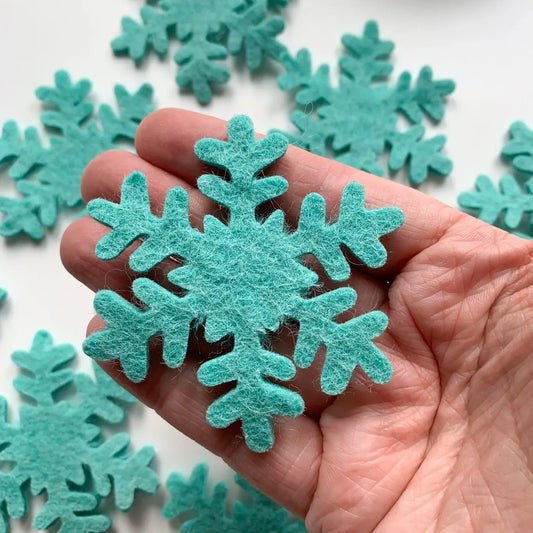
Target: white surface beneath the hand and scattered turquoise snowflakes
column 486, row 46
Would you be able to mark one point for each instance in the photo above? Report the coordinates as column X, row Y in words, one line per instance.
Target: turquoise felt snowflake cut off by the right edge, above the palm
column 506, row 206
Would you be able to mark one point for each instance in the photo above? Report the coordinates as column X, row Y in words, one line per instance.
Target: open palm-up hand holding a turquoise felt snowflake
column 447, row 444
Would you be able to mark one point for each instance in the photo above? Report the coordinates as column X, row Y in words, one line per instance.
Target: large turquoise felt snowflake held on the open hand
column 242, row 279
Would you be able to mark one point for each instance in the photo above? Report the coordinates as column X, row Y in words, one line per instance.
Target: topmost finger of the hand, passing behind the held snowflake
column 167, row 137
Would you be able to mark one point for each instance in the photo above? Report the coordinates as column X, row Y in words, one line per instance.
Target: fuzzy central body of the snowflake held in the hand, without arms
column 248, row 276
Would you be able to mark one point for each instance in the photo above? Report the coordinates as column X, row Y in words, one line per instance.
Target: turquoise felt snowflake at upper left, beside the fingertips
column 48, row 178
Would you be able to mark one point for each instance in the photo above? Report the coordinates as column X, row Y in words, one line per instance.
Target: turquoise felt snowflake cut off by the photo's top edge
column 208, row 30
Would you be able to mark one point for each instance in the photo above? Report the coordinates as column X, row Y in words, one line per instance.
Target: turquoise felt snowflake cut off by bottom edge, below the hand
column 205, row 513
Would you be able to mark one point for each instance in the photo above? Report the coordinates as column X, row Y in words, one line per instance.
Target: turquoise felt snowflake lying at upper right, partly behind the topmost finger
column 356, row 121
